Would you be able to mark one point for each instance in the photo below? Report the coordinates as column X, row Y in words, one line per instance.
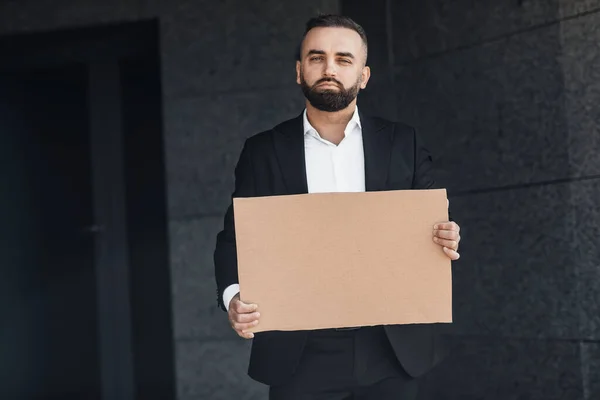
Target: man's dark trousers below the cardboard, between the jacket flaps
column 348, row 364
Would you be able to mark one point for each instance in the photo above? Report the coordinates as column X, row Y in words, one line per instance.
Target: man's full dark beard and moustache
column 329, row 100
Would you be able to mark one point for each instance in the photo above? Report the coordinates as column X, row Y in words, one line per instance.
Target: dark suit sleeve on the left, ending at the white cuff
column 225, row 254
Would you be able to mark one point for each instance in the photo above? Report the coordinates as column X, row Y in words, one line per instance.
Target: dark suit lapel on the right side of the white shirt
column 377, row 144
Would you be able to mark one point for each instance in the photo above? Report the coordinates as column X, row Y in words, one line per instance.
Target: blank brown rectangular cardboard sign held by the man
column 333, row 260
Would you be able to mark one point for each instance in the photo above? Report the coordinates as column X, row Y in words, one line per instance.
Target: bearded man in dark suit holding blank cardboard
column 332, row 147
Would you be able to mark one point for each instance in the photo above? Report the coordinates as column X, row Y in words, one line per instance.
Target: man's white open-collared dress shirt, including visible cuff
column 329, row 168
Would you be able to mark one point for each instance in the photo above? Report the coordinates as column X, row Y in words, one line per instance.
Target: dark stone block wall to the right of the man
column 506, row 94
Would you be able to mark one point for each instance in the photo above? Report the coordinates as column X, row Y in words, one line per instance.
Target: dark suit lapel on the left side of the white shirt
column 289, row 150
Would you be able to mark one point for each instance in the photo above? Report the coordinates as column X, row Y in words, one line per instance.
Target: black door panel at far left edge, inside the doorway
column 49, row 331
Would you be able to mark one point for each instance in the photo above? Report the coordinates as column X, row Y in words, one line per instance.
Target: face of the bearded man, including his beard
column 332, row 70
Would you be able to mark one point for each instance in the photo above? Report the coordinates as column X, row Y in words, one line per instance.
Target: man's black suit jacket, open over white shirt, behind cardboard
column 272, row 163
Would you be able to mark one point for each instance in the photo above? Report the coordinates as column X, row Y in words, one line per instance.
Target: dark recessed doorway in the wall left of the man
column 84, row 278
